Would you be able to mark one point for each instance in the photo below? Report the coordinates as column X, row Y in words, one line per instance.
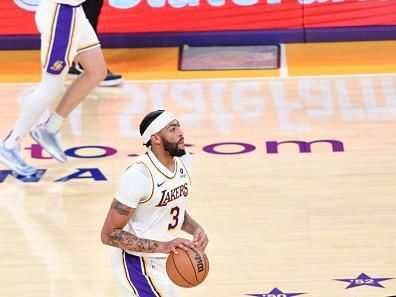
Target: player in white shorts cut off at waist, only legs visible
column 65, row 34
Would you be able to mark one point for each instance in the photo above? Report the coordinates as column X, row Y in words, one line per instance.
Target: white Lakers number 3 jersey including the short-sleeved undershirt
column 158, row 195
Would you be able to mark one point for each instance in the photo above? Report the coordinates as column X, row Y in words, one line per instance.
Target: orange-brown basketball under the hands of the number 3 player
column 188, row 268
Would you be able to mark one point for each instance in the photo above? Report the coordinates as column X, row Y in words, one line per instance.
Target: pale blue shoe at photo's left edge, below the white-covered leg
column 12, row 159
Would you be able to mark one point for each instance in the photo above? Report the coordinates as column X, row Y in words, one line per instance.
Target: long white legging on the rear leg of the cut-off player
column 34, row 106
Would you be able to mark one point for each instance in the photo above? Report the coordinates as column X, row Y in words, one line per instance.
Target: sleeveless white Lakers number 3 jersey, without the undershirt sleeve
column 161, row 215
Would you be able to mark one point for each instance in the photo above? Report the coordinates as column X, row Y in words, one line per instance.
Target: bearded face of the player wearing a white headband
column 173, row 139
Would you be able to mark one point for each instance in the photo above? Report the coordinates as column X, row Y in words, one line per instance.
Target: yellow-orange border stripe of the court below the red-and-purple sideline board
column 305, row 59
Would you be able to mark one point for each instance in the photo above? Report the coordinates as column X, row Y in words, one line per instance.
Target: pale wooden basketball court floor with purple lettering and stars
column 294, row 178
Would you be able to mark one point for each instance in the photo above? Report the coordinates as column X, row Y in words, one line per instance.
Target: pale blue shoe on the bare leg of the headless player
column 49, row 142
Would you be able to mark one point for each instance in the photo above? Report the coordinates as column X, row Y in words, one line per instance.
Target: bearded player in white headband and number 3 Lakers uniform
column 149, row 210
